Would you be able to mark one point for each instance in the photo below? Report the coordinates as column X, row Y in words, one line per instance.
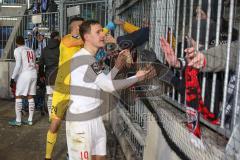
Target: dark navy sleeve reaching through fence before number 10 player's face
column 134, row 39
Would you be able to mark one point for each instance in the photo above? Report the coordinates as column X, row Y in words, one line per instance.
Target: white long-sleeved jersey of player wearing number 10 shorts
column 87, row 80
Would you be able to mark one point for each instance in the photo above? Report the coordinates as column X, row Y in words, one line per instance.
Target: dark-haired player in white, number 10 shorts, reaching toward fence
column 86, row 135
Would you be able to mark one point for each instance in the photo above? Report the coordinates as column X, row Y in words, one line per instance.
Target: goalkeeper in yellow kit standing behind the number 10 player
column 69, row 45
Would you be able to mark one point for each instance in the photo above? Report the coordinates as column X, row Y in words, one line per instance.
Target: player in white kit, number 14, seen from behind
column 25, row 76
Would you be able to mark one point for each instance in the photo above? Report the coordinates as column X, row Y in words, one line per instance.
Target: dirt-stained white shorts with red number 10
column 86, row 138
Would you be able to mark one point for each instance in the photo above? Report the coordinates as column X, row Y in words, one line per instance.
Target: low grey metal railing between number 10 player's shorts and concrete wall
column 132, row 126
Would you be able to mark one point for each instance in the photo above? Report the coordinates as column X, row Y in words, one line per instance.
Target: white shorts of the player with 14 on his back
column 26, row 84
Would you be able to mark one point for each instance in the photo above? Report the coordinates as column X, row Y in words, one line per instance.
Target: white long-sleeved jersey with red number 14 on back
column 25, row 61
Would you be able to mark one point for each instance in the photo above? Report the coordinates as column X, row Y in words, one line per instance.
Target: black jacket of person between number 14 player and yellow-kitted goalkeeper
column 49, row 61
